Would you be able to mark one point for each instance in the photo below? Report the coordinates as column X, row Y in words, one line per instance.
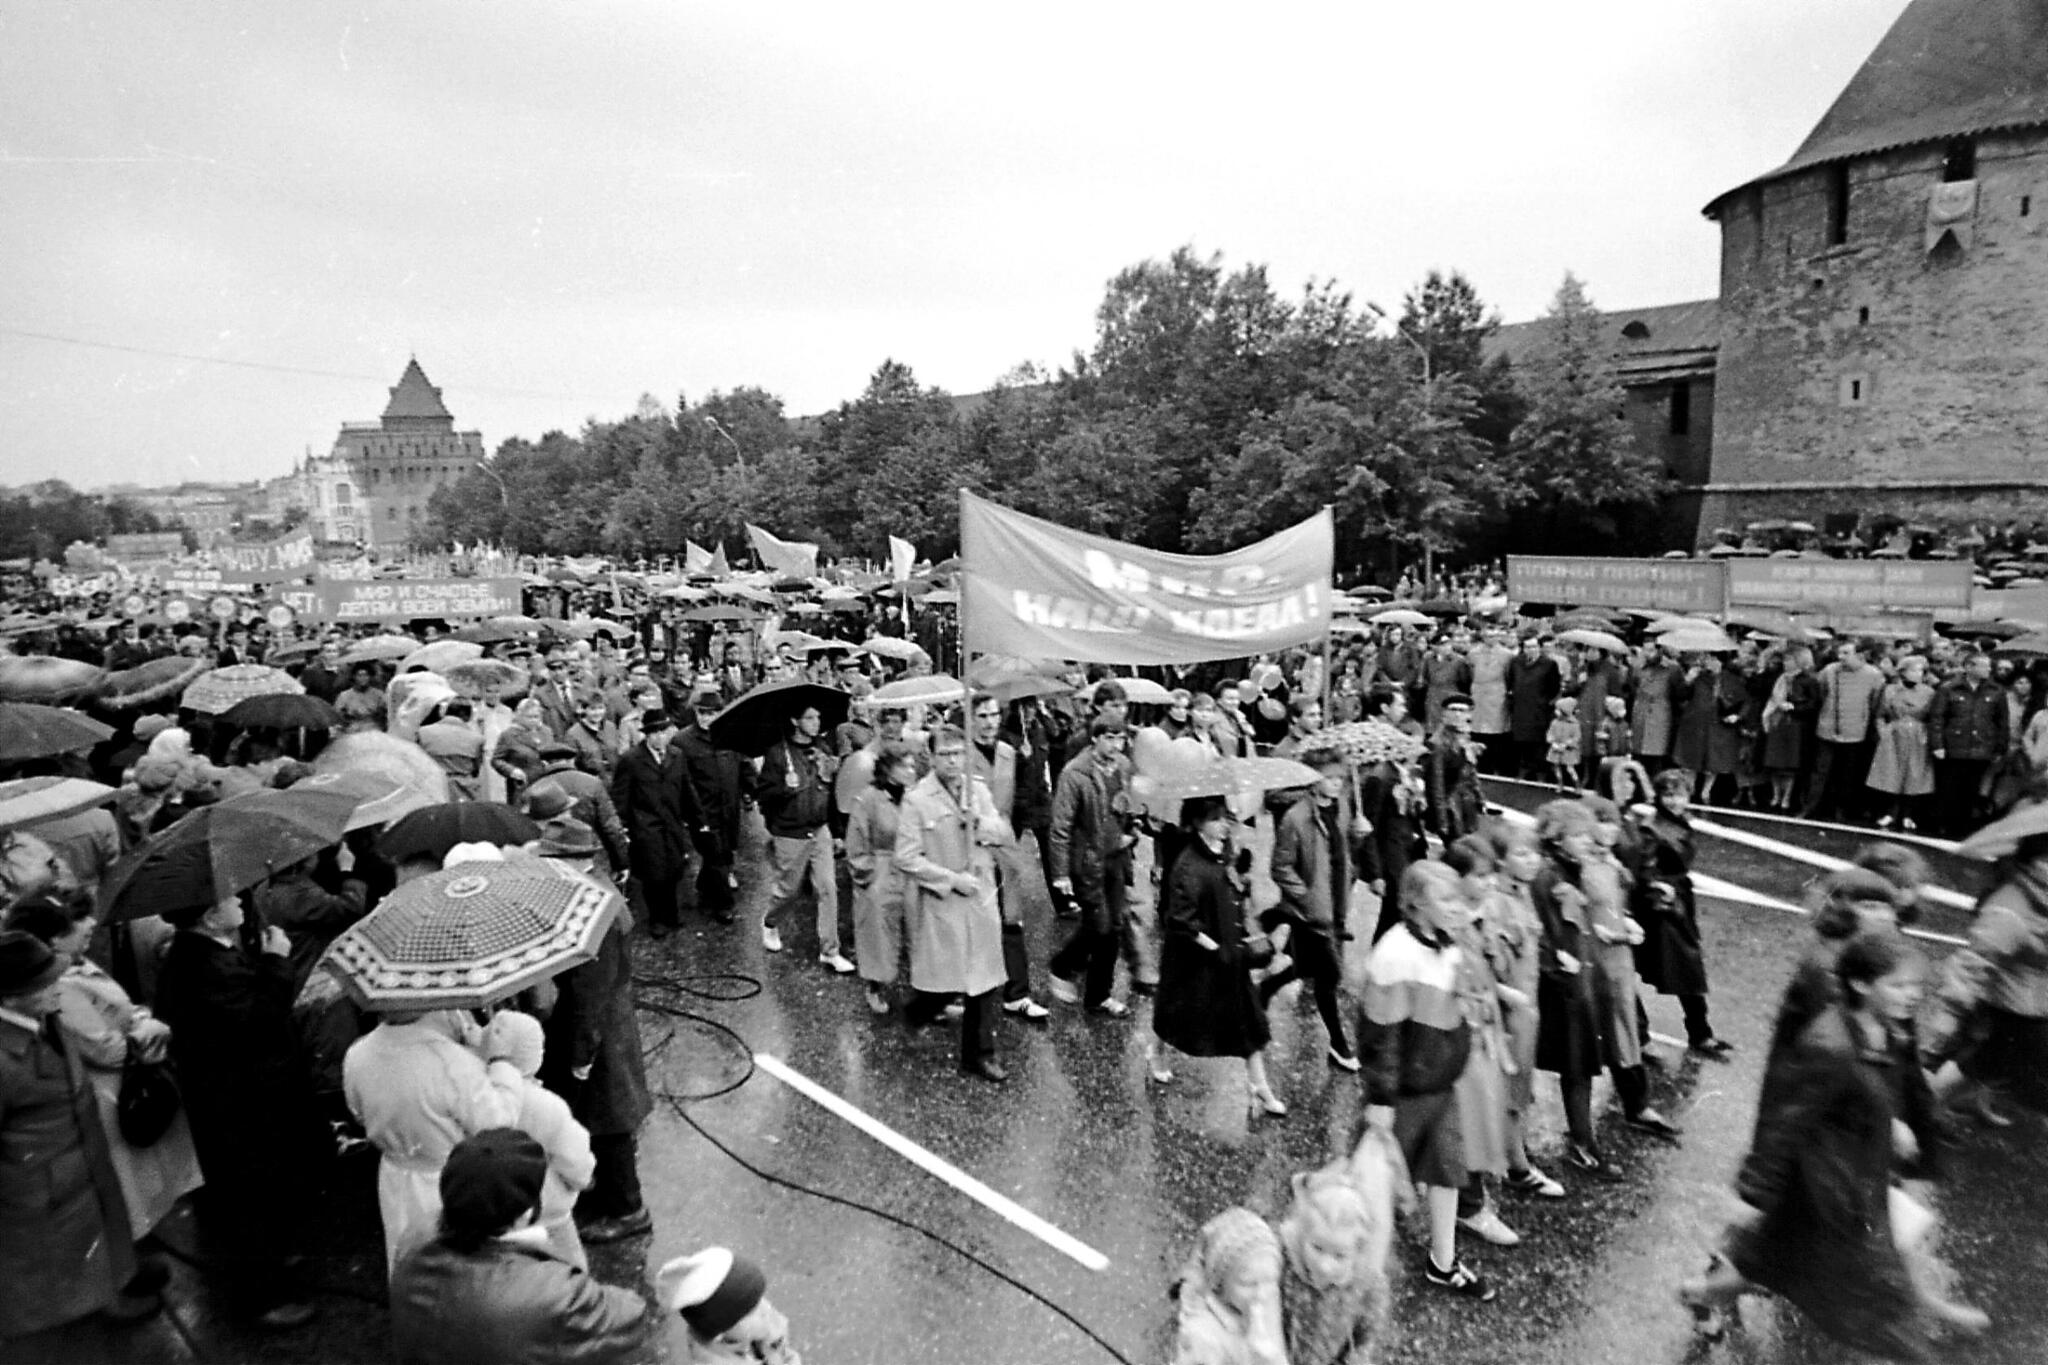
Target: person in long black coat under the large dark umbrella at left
column 261, row 1141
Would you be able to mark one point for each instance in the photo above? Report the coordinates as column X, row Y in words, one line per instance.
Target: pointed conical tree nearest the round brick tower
column 1574, row 447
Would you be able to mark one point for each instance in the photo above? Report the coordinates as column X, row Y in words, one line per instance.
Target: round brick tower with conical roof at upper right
column 1885, row 294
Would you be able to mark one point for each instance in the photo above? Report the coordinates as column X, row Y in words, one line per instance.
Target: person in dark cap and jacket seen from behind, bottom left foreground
column 488, row 1290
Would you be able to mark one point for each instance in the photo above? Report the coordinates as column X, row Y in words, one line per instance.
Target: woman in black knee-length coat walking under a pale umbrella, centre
column 1207, row 1004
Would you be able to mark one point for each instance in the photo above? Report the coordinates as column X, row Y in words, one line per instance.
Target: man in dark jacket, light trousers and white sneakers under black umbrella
column 796, row 799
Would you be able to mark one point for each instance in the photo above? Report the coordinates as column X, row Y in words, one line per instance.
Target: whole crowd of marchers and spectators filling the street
column 1492, row 951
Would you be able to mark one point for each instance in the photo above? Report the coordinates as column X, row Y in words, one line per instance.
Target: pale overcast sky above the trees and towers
column 560, row 208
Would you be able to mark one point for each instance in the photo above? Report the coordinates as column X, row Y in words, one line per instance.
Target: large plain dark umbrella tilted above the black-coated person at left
column 224, row 848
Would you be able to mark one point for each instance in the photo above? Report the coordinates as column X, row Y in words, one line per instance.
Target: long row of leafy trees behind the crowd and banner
column 1209, row 412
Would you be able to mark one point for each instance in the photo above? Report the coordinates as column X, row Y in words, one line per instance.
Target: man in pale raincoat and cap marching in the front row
column 947, row 834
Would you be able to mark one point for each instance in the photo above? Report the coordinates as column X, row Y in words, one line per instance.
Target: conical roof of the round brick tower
column 1949, row 69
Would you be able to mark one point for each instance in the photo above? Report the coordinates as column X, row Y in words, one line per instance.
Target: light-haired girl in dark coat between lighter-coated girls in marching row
column 1568, row 1012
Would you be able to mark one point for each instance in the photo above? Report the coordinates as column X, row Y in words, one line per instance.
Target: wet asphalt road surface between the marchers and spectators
column 884, row 1264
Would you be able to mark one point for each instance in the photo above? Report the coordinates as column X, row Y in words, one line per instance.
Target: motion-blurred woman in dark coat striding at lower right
column 1836, row 1114
